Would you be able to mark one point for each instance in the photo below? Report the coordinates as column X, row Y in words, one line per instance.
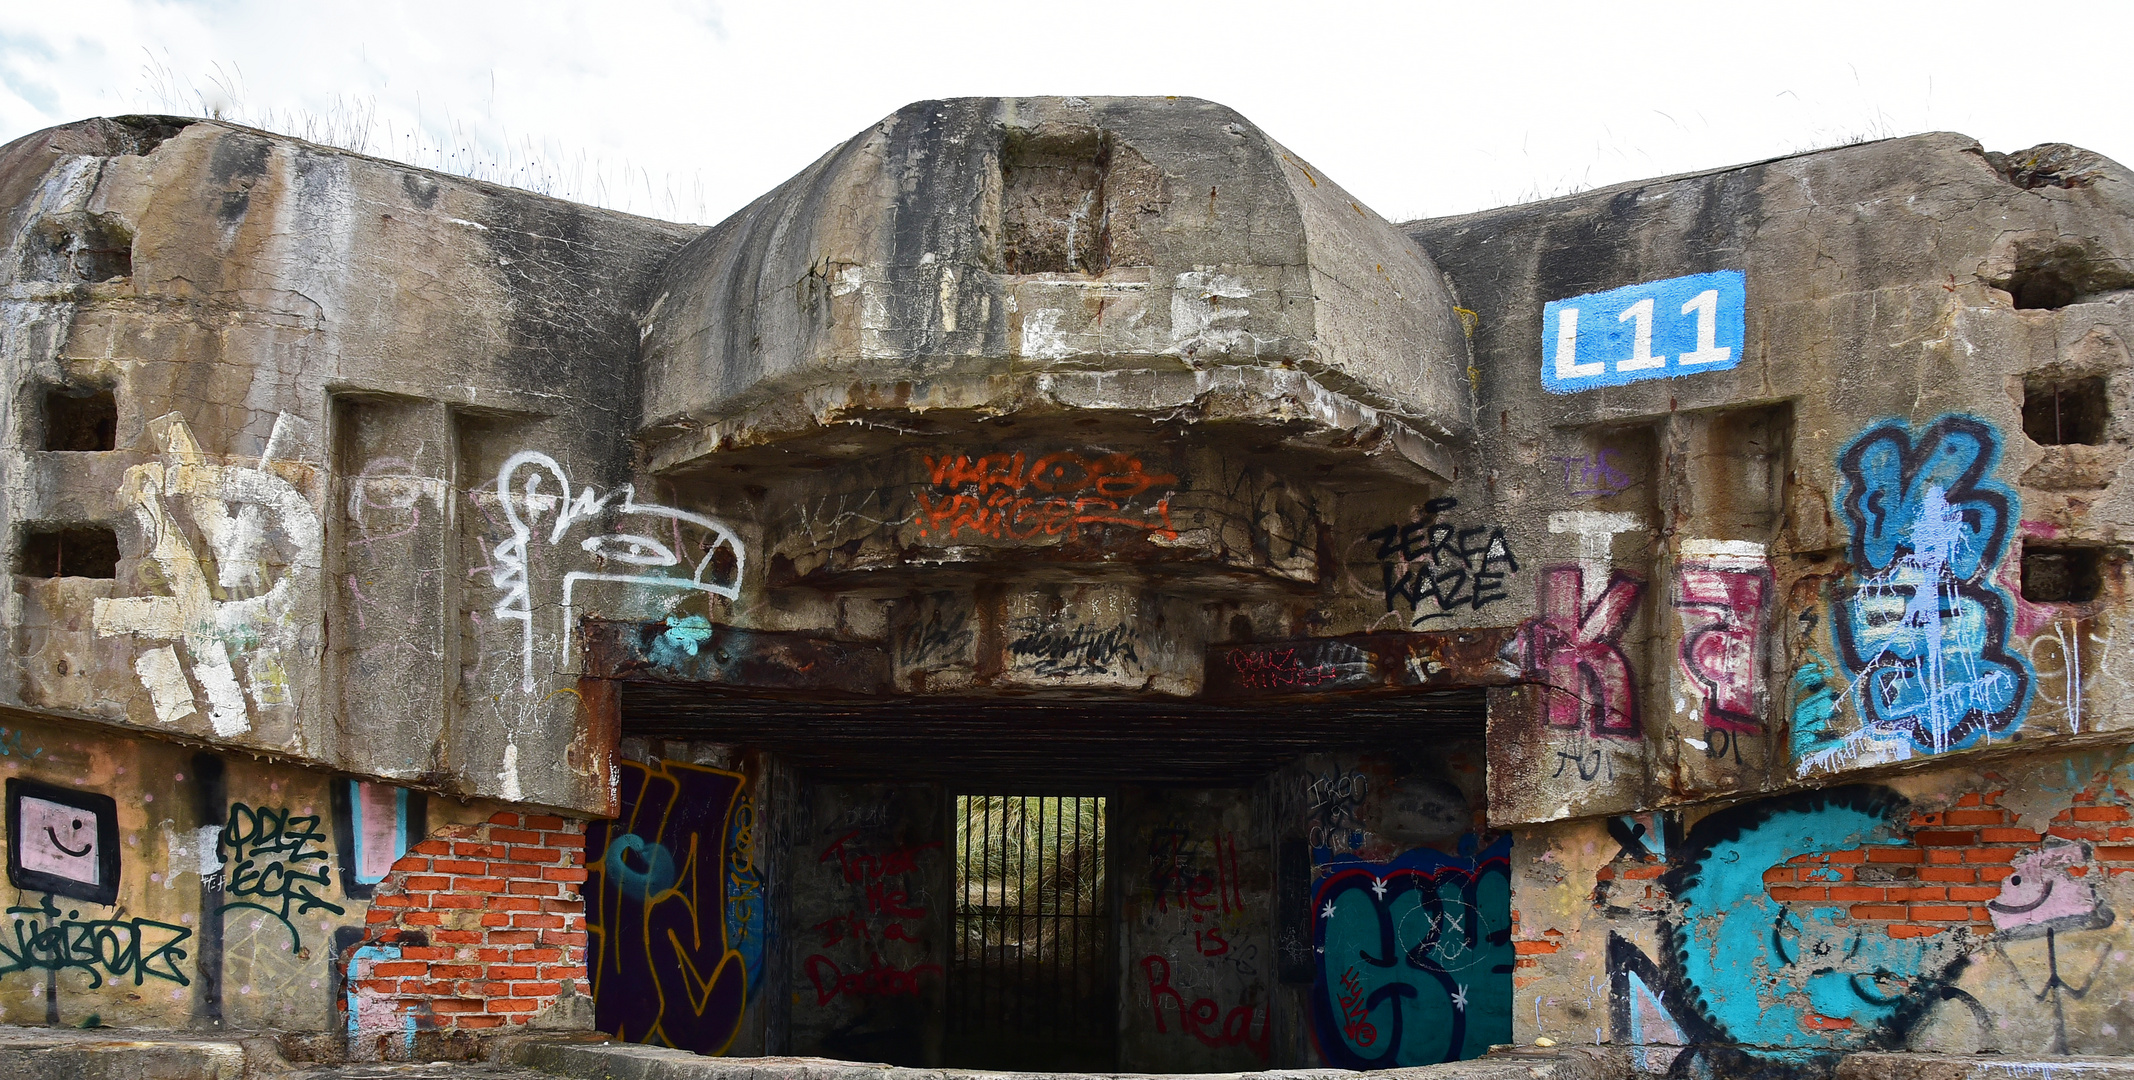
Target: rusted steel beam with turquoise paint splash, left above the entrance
column 714, row 654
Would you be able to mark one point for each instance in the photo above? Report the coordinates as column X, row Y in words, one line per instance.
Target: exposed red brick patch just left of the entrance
column 488, row 921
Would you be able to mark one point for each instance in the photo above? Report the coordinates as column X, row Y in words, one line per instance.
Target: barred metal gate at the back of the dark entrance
column 1030, row 976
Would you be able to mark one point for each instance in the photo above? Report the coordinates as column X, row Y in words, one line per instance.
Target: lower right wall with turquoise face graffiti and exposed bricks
column 1969, row 908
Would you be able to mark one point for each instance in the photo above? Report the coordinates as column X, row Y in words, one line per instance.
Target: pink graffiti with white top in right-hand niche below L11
column 1721, row 590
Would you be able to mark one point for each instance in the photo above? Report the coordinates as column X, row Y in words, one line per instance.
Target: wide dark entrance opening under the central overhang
column 1085, row 885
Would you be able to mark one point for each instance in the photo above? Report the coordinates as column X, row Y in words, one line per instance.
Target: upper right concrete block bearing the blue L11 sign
column 1723, row 558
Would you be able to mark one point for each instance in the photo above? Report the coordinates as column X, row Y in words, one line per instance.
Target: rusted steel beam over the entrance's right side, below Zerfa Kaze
column 1363, row 665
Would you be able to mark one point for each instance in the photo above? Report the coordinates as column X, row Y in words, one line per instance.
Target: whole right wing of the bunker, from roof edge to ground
column 1800, row 577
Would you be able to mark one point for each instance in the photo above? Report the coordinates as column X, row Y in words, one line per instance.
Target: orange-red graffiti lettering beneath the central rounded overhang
column 1019, row 496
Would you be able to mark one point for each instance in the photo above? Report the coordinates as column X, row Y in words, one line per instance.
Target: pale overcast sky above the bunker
column 692, row 108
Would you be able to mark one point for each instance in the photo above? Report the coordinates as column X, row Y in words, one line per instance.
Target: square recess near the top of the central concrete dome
column 1053, row 215
